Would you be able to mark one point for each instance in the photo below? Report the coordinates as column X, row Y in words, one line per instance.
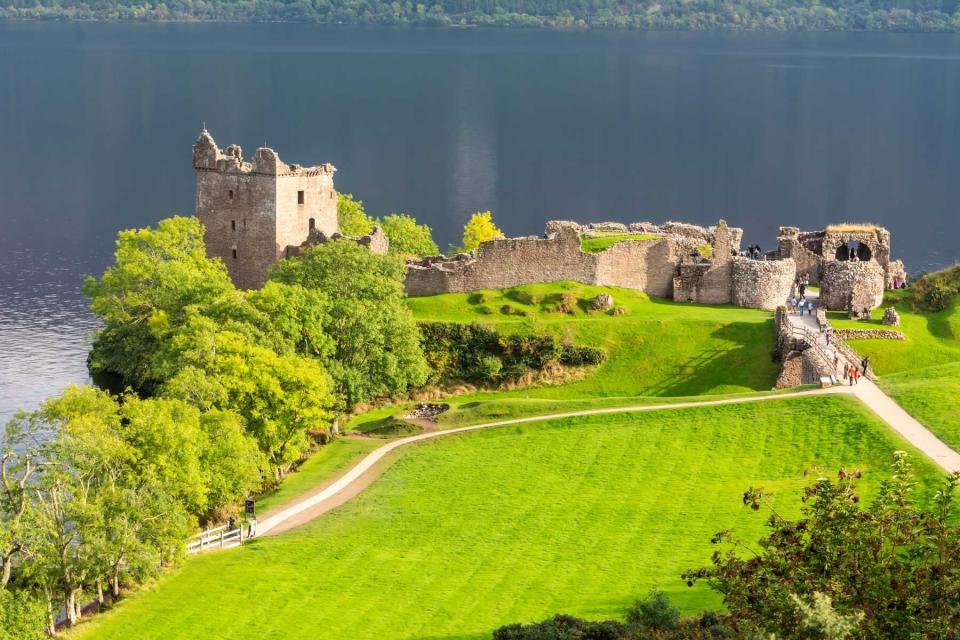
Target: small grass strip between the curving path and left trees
column 323, row 465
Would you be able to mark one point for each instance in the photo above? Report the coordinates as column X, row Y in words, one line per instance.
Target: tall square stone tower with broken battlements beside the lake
column 253, row 211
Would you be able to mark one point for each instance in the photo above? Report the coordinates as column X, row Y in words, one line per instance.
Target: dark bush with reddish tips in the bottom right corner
column 894, row 568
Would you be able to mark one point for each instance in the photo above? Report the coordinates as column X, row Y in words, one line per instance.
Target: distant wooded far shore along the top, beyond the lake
column 694, row 15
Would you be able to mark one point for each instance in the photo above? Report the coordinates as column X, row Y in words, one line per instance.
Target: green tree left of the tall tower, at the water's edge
column 157, row 274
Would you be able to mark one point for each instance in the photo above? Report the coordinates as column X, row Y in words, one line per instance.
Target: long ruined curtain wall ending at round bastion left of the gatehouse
column 661, row 267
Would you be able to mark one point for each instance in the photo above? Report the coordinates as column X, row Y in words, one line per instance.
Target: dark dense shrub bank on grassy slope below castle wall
column 477, row 353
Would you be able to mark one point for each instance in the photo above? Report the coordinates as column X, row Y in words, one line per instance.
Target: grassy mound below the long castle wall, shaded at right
column 658, row 348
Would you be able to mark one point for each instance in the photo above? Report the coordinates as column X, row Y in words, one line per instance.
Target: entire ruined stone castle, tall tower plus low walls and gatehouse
column 257, row 212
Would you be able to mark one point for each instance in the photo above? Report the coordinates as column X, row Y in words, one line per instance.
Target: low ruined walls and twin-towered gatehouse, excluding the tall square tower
column 687, row 263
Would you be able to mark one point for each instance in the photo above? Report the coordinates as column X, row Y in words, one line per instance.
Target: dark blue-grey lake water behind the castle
column 96, row 123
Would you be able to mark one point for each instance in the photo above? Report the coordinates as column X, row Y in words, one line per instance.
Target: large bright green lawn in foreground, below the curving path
column 469, row 532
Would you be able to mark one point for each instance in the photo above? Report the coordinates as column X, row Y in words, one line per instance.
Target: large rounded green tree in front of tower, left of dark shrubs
column 377, row 345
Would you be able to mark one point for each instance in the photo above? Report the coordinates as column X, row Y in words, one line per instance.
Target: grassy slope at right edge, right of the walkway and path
column 922, row 373
